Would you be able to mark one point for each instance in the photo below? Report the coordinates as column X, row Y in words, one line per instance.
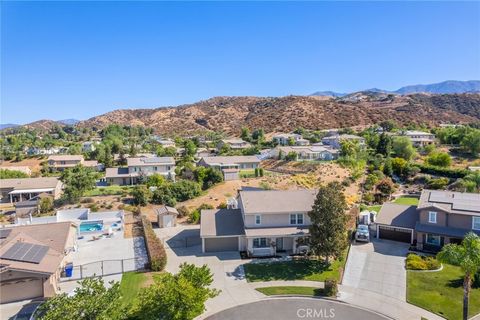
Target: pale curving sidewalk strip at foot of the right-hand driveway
column 388, row 306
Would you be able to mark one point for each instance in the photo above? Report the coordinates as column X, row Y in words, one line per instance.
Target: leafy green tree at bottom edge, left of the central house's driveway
column 175, row 297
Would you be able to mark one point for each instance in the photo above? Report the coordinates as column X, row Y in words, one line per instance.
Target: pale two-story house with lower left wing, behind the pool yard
column 140, row 167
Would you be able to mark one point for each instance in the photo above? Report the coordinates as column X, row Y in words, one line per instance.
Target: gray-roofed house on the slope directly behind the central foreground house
column 230, row 165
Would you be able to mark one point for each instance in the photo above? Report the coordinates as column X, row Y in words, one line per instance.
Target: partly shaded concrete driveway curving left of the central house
column 228, row 274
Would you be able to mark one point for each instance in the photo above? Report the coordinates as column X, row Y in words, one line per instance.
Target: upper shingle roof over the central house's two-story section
column 277, row 201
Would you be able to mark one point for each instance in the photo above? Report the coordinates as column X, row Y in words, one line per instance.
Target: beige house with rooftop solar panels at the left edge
column 31, row 259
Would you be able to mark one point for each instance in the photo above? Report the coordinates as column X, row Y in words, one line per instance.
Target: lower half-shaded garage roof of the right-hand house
column 398, row 215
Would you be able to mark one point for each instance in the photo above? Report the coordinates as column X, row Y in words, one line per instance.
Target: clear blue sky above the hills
column 80, row 59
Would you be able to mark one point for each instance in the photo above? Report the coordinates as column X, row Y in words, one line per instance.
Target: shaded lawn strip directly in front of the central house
column 314, row 270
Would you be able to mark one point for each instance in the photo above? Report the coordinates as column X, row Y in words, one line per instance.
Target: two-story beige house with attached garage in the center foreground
column 261, row 222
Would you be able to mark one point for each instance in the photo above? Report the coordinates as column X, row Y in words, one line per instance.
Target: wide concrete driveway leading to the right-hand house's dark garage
column 378, row 266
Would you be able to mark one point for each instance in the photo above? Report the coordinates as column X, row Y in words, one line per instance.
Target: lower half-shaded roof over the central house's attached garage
column 221, row 222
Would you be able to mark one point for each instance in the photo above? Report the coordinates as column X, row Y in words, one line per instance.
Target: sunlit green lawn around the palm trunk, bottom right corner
column 441, row 292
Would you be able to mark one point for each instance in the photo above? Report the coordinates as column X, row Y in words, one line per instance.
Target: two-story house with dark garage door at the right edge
column 441, row 217
